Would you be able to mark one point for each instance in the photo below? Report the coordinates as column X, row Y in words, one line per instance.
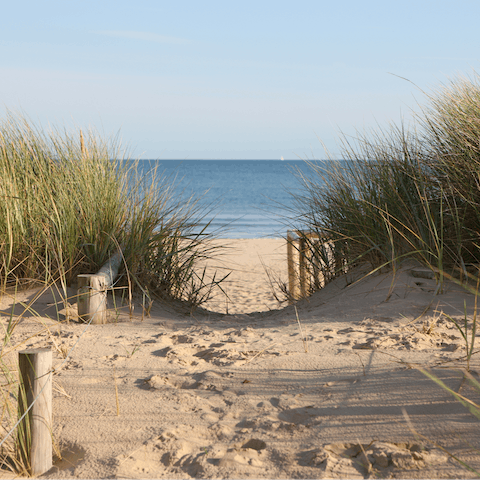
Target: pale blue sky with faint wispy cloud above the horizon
column 230, row 79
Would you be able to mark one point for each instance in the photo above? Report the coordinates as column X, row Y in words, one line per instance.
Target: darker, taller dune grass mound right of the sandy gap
column 403, row 193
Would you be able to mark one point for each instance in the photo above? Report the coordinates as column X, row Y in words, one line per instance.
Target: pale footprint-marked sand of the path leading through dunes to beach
column 259, row 395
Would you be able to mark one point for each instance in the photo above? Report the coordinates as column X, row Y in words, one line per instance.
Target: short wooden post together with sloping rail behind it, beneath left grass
column 92, row 291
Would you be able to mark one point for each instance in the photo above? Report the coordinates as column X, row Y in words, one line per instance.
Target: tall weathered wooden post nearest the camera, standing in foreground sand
column 34, row 440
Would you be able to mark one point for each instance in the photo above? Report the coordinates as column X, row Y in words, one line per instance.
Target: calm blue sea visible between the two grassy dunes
column 248, row 193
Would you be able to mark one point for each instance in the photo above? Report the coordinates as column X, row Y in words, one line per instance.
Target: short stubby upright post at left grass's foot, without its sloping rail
column 92, row 298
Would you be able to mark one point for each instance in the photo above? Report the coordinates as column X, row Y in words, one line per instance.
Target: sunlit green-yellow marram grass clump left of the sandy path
column 67, row 201
